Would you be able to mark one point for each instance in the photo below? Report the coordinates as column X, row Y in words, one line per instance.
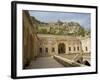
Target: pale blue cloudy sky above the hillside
column 44, row 16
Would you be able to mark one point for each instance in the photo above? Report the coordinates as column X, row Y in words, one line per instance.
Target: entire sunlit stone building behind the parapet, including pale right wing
column 69, row 47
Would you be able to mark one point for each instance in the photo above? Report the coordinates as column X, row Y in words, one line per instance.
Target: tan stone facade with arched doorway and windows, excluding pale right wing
column 53, row 44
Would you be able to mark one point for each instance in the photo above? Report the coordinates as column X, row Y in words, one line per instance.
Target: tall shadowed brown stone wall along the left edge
column 30, row 39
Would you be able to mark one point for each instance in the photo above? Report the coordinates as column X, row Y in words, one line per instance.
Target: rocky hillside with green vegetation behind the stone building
column 61, row 28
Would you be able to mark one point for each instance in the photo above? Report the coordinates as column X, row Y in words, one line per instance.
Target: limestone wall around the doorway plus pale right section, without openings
column 74, row 44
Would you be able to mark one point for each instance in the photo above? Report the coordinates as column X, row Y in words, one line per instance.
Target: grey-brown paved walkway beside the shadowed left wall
column 44, row 62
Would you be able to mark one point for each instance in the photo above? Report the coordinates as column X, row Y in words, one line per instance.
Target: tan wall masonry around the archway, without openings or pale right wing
column 50, row 41
